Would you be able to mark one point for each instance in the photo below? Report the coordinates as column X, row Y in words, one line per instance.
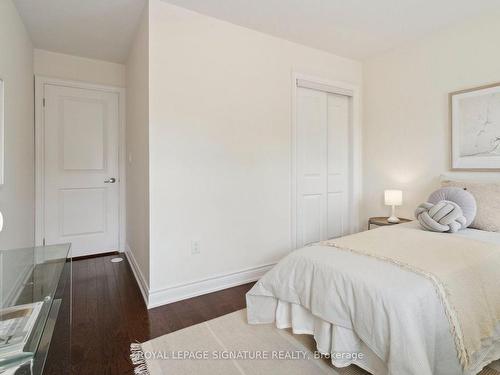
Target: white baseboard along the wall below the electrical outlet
column 196, row 288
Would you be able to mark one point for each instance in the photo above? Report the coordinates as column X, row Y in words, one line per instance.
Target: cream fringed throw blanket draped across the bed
column 464, row 272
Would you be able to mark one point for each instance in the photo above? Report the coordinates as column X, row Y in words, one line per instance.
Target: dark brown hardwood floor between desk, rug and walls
column 109, row 313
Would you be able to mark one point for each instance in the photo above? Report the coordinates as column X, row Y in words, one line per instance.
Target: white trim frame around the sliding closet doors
column 355, row 157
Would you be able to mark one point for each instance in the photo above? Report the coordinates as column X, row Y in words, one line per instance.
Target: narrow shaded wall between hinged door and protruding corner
column 138, row 149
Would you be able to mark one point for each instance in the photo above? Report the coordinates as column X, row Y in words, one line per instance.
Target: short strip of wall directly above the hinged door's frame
column 74, row 68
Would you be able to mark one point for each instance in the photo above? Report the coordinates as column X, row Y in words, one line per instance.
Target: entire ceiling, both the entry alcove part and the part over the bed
column 104, row 29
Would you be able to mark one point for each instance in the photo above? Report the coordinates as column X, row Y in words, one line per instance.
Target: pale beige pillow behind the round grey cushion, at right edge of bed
column 487, row 196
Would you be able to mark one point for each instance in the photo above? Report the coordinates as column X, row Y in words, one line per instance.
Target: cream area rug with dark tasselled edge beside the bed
column 228, row 345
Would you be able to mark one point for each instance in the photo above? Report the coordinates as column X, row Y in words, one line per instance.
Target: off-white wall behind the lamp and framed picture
column 406, row 125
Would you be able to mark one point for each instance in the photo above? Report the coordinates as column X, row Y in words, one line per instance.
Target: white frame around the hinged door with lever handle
column 40, row 82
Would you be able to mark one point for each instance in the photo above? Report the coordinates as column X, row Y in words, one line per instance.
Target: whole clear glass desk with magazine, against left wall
column 33, row 284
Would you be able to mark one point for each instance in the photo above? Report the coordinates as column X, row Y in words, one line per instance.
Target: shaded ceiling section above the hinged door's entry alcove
column 100, row 29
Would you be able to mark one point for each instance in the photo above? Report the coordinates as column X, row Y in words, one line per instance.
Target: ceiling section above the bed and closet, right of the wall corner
column 351, row 28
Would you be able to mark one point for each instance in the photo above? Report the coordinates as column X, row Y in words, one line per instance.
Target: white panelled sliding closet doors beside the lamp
column 322, row 166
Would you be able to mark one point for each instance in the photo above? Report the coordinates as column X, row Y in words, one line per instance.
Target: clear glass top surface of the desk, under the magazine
column 29, row 278
